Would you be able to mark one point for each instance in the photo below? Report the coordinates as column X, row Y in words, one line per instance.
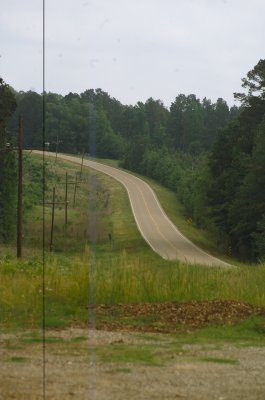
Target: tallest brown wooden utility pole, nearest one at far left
column 19, row 191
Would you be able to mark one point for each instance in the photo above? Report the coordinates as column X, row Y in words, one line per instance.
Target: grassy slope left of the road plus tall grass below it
column 124, row 270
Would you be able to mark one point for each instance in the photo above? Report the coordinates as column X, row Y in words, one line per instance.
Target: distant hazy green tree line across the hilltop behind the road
column 190, row 125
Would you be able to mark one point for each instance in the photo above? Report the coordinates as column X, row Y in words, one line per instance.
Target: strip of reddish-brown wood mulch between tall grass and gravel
column 169, row 317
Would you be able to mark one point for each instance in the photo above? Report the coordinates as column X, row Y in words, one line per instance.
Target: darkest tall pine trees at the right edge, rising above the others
column 236, row 180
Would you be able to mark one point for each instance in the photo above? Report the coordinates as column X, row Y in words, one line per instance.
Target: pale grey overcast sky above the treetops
column 133, row 49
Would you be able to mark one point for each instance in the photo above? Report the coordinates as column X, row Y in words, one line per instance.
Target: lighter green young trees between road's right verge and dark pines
column 183, row 173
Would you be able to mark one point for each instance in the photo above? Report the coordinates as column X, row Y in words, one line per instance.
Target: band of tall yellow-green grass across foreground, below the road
column 125, row 279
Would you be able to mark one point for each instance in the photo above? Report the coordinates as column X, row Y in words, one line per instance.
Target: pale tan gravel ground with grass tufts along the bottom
column 74, row 369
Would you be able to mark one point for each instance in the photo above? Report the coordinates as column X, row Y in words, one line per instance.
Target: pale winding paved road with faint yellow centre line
column 154, row 225
